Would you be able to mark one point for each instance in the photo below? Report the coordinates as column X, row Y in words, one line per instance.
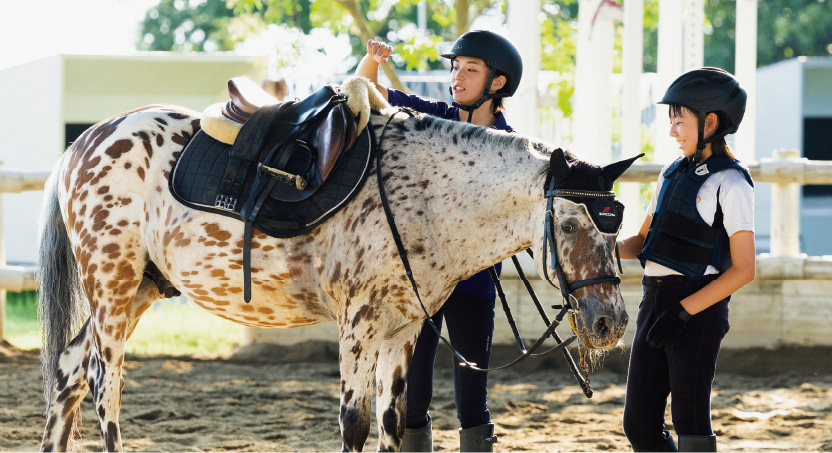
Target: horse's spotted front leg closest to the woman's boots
column 391, row 386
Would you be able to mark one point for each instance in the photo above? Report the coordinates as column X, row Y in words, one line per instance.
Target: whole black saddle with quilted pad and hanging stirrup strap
column 290, row 168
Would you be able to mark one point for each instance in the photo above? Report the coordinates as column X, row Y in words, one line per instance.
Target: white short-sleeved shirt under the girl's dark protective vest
column 736, row 197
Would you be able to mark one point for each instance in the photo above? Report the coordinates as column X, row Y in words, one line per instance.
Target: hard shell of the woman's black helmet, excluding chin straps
column 497, row 52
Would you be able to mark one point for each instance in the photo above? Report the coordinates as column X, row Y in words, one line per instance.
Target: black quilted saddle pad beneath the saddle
column 197, row 174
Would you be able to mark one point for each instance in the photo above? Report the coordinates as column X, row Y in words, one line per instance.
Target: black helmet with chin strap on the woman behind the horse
column 498, row 53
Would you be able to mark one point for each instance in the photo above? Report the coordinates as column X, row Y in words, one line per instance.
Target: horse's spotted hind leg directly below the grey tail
column 63, row 414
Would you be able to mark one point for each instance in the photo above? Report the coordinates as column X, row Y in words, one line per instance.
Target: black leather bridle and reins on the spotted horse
column 565, row 287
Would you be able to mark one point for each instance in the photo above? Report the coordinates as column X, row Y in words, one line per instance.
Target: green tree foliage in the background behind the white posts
column 786, row 28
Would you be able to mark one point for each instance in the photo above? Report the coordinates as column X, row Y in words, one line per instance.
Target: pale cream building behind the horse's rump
column 51, row 101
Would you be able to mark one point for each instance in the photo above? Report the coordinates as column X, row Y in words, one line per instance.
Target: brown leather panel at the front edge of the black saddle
column 336, row 135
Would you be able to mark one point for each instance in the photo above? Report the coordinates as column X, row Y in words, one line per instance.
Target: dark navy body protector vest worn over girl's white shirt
column 678, row 237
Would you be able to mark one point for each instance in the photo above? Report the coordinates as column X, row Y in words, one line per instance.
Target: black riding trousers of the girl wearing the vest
column 685, row 370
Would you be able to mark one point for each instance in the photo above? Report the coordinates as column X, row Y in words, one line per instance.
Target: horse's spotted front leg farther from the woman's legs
column 358, row 348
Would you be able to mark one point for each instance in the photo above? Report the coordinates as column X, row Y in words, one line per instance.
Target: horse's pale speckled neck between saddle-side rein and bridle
column 475, row 199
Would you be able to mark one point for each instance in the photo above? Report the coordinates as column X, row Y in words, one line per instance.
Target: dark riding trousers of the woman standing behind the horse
column 470, row 322
